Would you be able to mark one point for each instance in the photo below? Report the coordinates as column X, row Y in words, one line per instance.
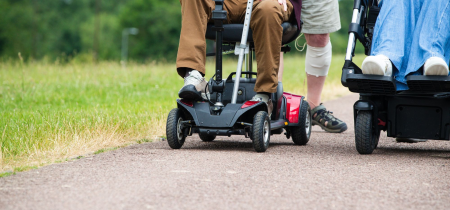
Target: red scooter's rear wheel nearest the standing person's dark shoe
column 302, row 132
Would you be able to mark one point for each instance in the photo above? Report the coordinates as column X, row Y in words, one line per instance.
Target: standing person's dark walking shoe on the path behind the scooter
column 326, row 120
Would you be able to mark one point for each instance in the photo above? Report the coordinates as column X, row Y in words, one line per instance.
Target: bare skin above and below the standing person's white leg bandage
column 315, row 84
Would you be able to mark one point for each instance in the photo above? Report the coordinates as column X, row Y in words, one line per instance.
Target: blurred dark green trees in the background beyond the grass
column 65, row 29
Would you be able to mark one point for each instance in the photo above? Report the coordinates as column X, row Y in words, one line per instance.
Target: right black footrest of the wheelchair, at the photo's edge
column 428, row 83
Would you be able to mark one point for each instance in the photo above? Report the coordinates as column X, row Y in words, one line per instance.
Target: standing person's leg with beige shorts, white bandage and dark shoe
column 320, row 19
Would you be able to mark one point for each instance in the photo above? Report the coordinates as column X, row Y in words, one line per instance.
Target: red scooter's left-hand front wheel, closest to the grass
column 174, row 138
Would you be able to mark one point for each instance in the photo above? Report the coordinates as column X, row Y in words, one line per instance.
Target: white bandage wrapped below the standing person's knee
column 318, row 60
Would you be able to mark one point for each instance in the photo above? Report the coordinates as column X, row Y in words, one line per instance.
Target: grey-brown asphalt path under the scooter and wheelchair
column 328, row 173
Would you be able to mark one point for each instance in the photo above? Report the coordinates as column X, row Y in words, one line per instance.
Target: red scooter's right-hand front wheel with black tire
column 261, row 131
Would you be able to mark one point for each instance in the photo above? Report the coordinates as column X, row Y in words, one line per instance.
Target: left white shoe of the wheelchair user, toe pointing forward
column 377, row 65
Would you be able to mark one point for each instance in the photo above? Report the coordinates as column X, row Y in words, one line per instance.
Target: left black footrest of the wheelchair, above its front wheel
column 375, row 84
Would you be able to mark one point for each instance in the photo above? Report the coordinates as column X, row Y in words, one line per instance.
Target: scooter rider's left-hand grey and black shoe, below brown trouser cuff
column 194, row 87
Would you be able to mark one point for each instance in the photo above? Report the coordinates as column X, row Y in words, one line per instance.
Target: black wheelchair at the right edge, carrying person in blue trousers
column 422, row 112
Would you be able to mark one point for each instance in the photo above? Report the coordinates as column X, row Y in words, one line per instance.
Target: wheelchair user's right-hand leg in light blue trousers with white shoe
column 431, row 39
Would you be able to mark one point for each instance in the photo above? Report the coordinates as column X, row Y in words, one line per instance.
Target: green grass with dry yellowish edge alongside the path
column 53, row 111
